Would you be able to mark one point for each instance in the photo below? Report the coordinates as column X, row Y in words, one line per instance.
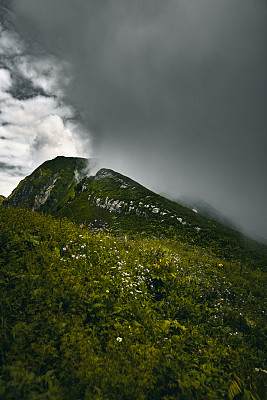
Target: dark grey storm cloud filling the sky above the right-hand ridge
column 173, row 92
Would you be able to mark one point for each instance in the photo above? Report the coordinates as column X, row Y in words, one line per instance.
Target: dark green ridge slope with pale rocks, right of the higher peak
column 218, row 238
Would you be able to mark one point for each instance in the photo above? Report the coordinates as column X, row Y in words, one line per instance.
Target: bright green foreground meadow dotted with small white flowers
column 93, row 315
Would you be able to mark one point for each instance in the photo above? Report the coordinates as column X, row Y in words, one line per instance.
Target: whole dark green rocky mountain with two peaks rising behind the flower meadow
column 66, row 187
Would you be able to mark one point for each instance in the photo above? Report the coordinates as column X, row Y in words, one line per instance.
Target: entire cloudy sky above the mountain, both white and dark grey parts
column 172, row 93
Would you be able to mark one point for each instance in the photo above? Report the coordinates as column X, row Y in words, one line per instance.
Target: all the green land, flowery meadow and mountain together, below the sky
column 110, row 291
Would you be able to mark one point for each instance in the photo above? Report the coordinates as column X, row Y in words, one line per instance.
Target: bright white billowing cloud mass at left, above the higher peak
column 35, row 129
